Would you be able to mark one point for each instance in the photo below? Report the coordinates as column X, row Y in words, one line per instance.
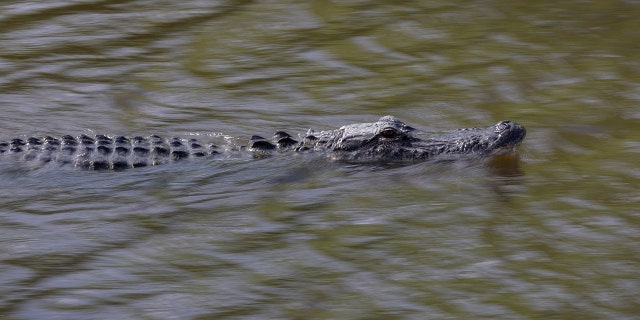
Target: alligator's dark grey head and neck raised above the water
column 391, row 140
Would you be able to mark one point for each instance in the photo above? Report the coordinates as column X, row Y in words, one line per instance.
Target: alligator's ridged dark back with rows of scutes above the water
column 103, row 152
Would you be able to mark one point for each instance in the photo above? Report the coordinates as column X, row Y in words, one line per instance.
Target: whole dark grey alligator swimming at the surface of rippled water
column 387, row 140
